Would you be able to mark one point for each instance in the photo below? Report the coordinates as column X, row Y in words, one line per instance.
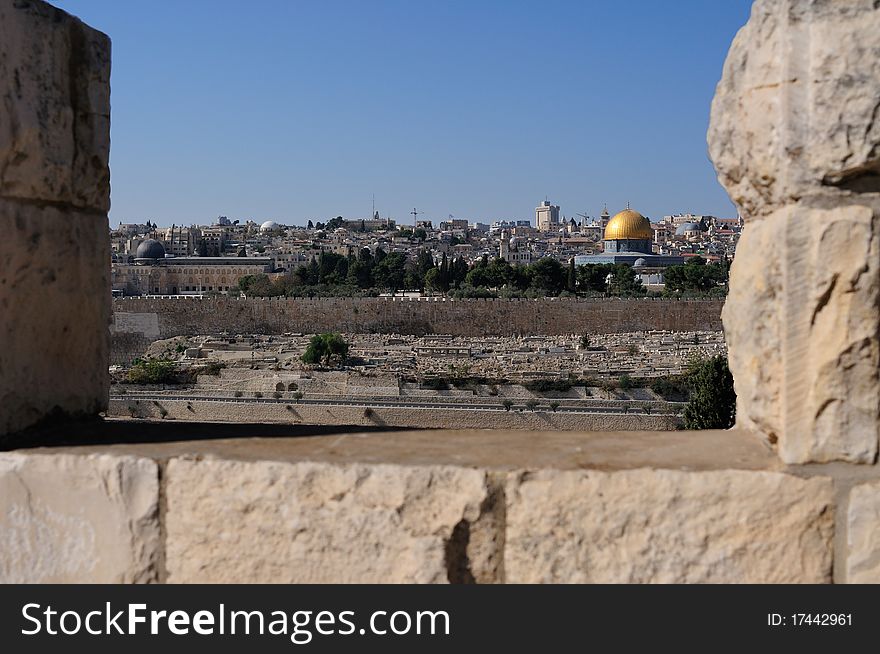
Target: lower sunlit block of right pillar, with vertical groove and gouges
column 802, row 324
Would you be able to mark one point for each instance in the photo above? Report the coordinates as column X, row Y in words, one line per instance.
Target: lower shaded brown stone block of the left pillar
column 54, row 313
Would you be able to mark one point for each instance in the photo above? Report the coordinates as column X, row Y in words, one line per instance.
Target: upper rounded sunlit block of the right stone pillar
column 796, row 110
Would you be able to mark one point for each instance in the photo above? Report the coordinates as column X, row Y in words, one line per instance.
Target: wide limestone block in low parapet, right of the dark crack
column 667, row 526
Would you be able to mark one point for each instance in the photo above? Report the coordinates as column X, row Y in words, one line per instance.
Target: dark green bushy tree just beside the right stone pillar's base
column 712, row 402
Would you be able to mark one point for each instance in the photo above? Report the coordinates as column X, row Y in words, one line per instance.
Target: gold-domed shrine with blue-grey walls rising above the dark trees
column 627, row 239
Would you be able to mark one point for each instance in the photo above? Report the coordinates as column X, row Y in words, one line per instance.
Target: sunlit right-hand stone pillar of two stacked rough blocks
column 795, row 138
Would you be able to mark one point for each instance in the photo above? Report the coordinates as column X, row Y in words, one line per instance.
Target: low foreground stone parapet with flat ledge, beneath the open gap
column 436, row 507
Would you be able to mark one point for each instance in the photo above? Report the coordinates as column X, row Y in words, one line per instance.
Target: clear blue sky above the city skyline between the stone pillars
column 290, row 110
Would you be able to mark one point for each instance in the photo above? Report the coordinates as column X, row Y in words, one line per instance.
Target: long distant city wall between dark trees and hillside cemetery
column 175, row 317
